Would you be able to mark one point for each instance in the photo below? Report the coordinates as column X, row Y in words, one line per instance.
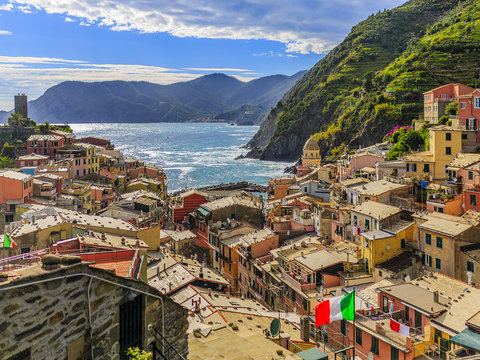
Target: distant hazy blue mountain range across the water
column 120, row 101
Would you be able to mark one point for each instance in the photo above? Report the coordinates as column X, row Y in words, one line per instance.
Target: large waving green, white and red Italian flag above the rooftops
column 335, row 308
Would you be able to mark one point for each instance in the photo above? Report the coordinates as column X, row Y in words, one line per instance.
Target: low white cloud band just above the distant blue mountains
column 33, row 75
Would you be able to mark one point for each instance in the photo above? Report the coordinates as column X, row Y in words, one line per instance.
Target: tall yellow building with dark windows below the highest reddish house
column 445, row 143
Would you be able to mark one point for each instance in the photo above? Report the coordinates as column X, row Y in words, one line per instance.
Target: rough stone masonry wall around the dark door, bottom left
column 50, row 320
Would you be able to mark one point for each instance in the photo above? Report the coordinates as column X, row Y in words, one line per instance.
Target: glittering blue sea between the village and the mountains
column 192, row 154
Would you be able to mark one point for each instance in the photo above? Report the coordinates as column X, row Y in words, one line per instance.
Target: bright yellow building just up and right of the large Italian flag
column 381, row 245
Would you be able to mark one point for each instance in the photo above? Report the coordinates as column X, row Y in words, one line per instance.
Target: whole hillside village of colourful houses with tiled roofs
column 98, row 258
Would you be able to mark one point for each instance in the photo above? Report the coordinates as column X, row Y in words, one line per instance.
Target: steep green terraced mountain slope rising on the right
column 374, row 79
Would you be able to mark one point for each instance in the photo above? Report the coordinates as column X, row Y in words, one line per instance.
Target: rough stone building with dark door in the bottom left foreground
column 55, row 309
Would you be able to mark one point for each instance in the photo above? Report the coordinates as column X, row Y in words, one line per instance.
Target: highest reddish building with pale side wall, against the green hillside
column 436, row 100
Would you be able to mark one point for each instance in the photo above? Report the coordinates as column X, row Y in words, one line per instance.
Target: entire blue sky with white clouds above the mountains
column 45, row 42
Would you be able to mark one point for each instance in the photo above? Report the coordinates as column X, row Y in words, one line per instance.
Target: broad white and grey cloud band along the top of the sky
column 304, row 26
